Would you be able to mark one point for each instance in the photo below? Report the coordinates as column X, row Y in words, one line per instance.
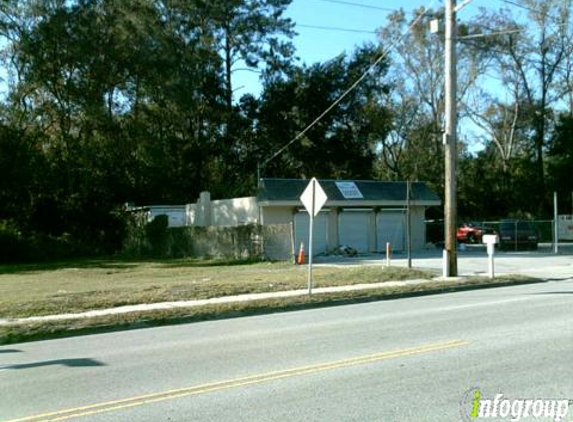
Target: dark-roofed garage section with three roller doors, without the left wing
column 362, row 214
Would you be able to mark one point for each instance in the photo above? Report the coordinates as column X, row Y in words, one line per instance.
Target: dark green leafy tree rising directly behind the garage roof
column 341, row 144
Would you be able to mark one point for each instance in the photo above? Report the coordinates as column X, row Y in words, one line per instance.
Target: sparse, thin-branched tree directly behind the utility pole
column 417, row 73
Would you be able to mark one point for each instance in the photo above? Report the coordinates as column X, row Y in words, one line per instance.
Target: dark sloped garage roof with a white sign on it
column 373, row 193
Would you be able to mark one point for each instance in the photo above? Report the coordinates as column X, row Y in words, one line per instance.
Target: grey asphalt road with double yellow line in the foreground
column 398, row 360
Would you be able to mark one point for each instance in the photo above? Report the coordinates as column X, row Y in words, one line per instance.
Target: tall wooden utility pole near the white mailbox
column 450, row 142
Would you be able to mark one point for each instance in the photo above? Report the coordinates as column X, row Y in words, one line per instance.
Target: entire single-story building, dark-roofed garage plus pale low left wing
column 362, row 214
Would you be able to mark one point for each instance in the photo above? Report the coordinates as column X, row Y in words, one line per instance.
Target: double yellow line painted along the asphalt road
column 233, row 383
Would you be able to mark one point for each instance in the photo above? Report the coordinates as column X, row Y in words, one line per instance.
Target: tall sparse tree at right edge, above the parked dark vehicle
column 532, row 62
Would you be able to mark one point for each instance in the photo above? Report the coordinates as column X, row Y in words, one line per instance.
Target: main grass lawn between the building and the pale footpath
column 75, row 286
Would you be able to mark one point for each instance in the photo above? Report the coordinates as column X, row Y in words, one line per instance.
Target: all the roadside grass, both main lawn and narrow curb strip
column 75, row 286
